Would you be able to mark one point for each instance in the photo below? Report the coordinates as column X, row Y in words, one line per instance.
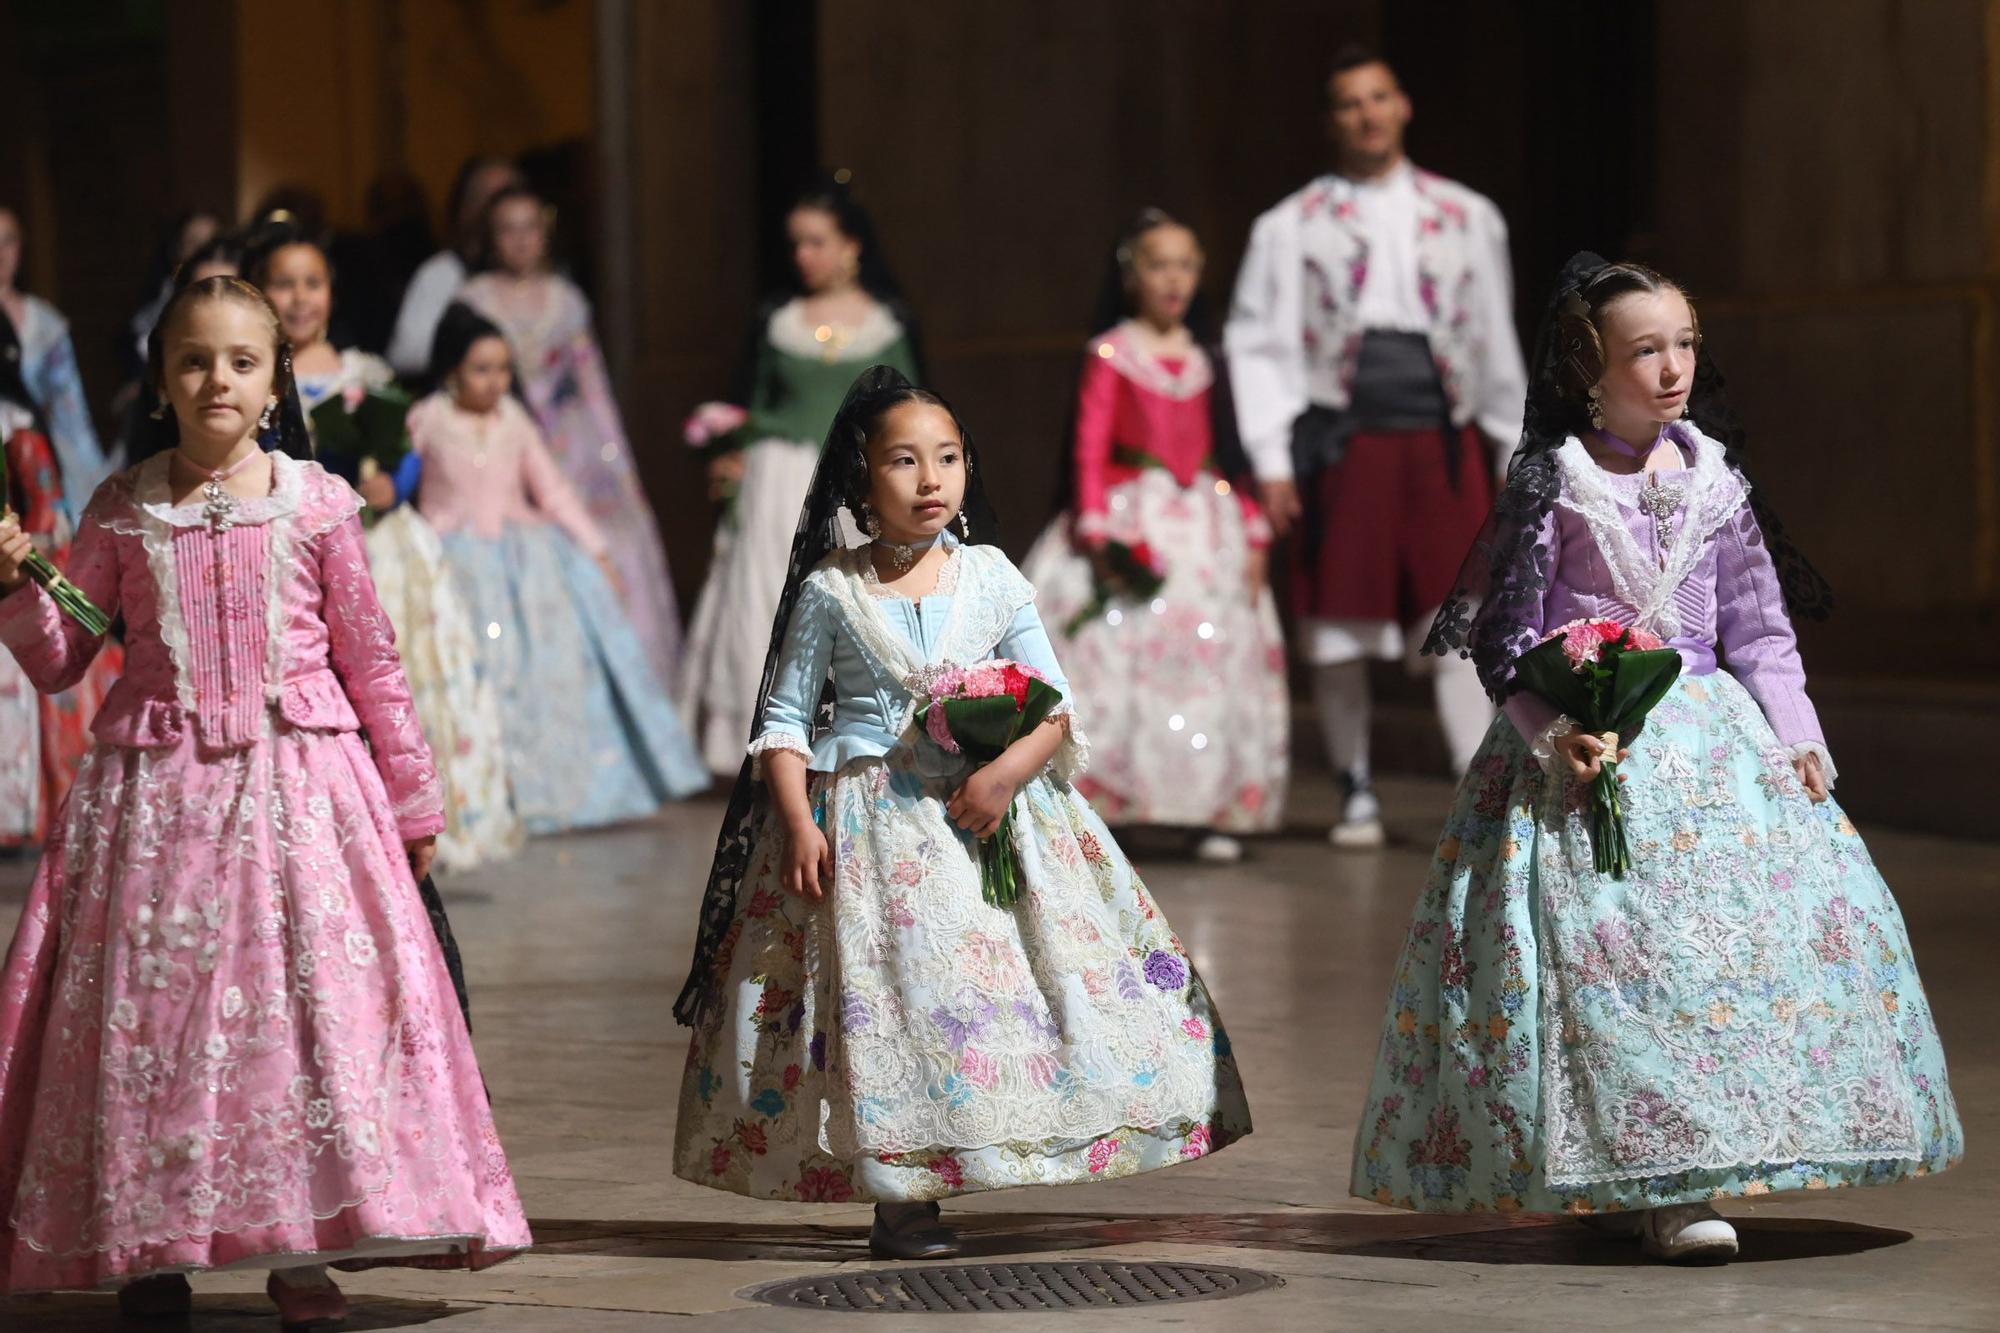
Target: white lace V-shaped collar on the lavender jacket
column 1647, row 585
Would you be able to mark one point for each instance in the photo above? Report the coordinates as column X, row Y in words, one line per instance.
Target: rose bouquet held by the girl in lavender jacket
column 1607, row 680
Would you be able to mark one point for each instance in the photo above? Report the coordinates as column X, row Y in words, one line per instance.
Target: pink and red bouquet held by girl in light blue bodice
column 979, row 712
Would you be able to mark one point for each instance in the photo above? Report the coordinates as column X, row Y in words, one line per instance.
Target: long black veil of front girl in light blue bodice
column 839, row 483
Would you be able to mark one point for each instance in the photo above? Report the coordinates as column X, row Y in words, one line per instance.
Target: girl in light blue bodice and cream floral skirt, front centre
column 865, row 1024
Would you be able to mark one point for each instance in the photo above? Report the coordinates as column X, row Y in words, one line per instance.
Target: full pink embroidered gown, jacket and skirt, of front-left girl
column 227, row 1034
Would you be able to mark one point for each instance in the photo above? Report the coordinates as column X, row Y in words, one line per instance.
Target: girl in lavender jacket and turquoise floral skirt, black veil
column 1739, row 1014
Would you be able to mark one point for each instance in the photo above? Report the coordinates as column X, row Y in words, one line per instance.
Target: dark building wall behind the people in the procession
column 1825, row 175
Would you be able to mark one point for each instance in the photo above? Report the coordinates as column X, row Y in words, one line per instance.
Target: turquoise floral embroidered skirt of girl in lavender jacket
column 1739, row 1016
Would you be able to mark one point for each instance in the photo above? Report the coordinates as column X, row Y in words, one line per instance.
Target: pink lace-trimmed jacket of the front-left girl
column 217, row 645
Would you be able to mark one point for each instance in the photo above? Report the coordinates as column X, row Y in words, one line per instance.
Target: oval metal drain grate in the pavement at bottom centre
column 1011, row 1288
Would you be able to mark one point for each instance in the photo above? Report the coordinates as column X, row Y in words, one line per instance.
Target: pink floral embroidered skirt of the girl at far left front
column 227, row 1034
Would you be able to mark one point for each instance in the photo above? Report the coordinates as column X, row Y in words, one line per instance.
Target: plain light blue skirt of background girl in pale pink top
column 591, row 736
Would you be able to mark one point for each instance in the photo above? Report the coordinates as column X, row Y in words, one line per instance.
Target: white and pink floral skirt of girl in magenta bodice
column 1185, row 694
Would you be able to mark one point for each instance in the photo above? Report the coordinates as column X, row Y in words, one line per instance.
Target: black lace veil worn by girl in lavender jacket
column 1493, row 611
